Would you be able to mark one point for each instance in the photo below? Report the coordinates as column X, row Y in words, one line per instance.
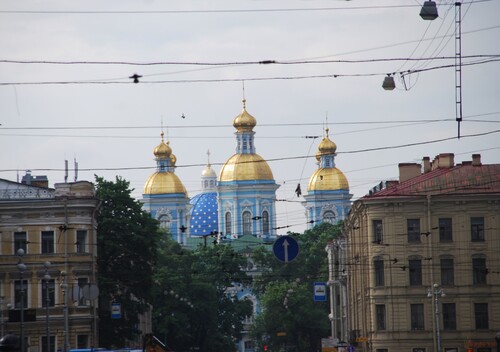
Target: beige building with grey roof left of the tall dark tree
column 55, row 225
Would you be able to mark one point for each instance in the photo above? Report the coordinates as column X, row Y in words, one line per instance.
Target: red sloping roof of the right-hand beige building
column 466, row 178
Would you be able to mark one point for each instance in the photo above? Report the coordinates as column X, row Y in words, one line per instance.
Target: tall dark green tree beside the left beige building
column 127, row 240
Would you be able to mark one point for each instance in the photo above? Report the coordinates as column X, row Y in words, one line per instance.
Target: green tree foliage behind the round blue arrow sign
column 290, row 317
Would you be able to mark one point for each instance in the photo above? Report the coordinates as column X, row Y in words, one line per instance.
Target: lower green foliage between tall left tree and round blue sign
column 192, row 306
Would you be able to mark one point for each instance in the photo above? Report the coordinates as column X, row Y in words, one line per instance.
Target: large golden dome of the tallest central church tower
column 245, row 167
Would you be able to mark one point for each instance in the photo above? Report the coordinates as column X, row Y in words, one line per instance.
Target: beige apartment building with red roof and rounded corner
column 423, row 260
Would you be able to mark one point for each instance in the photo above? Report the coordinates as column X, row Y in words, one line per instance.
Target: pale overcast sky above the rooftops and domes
column 331, row 58
